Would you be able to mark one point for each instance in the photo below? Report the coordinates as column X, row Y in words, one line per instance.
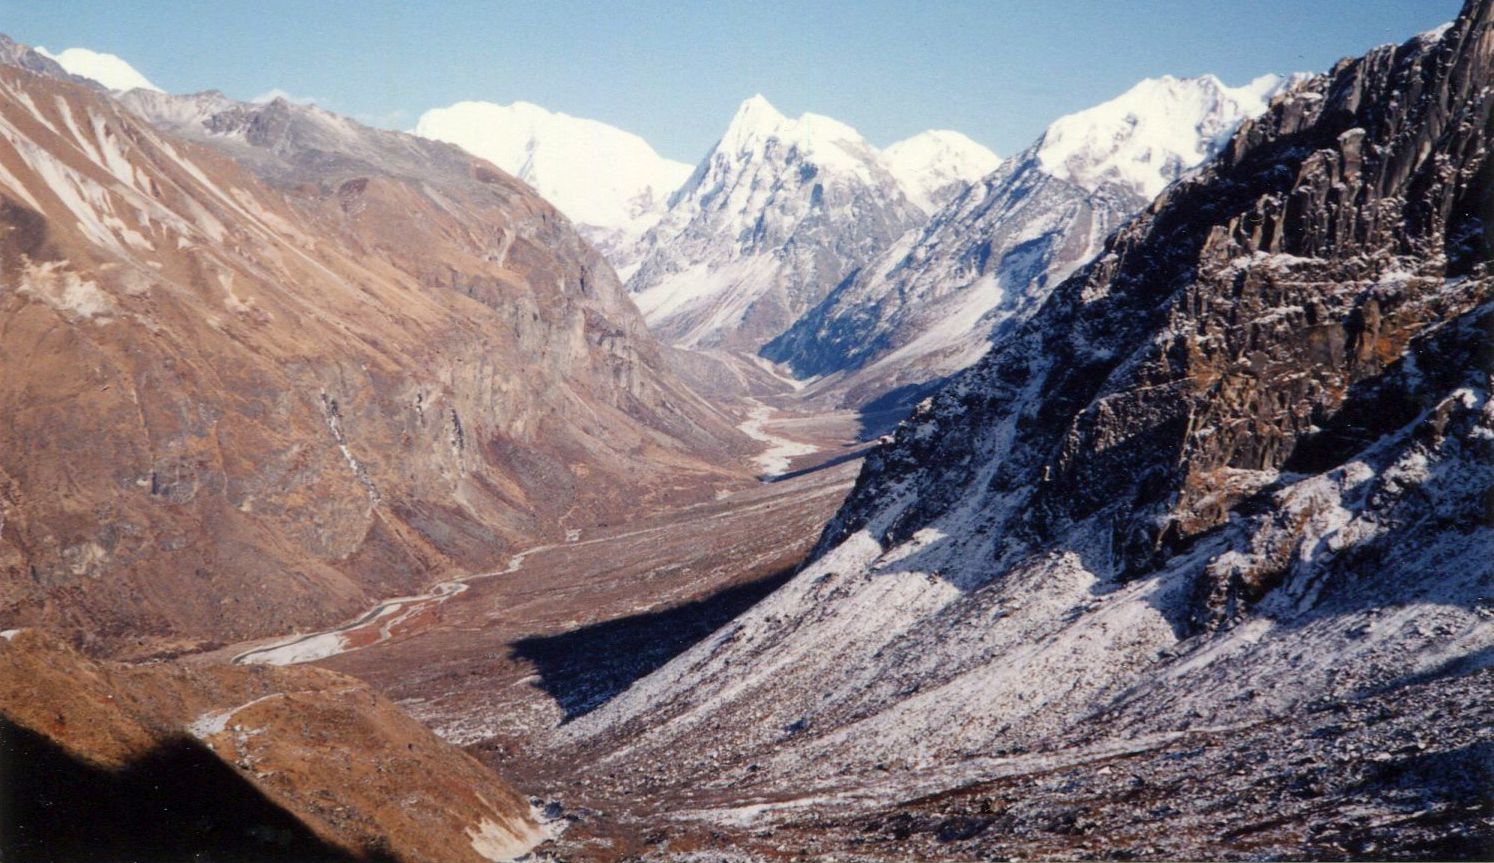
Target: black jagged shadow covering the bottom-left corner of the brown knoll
column 179, row 803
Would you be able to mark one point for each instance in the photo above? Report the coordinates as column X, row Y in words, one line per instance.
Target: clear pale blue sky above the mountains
column 675, row 71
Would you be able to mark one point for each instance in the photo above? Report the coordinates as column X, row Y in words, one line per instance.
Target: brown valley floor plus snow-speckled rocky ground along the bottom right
column 501, row 662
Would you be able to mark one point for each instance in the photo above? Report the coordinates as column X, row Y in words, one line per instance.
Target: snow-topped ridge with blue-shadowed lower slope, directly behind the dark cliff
column 930, row 304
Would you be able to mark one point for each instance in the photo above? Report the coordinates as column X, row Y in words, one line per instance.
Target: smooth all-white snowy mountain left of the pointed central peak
column 609, row 181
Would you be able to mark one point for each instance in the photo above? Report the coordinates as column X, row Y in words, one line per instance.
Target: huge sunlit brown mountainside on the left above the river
column 256, row 393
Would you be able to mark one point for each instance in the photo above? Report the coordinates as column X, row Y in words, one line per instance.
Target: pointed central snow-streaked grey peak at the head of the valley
column 776, row 216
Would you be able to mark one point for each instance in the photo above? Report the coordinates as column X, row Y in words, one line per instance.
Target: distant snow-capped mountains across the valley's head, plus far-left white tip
column 869, row 272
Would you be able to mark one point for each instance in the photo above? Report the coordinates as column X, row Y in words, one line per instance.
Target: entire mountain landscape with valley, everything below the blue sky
column 1180, row 543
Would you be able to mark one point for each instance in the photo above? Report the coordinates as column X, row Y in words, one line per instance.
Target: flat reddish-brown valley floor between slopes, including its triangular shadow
column 500, row 661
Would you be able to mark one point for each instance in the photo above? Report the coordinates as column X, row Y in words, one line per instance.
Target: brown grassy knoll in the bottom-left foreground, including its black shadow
column 104, row 761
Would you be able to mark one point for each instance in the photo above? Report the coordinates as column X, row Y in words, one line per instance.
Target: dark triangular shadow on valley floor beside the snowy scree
column 589, row 667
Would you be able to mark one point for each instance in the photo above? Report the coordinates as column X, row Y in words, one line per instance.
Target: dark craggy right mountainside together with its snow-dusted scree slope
column 1233, row 474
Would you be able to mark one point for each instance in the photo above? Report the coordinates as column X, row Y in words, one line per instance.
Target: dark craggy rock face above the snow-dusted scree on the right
column 1184, row 370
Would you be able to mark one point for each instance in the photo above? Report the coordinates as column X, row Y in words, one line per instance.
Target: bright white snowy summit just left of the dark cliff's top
column 1153, row 134
